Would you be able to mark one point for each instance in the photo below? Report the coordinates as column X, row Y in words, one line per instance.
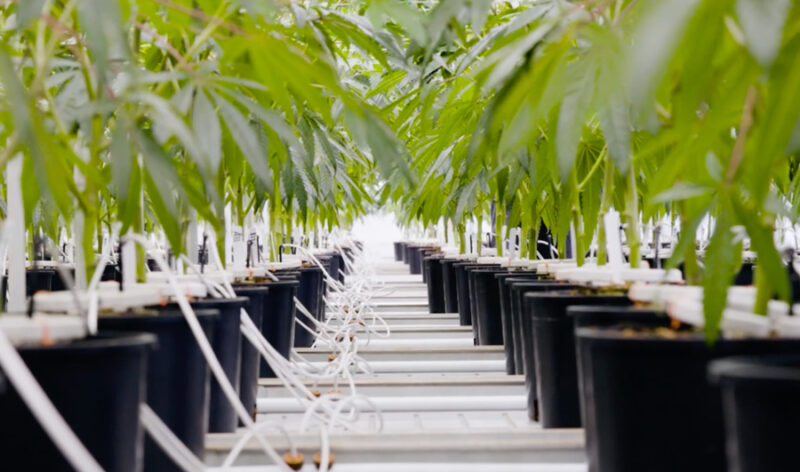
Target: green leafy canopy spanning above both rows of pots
column 137, row 114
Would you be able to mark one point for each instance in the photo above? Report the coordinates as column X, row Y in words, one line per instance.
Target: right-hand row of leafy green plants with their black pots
column 679, row 116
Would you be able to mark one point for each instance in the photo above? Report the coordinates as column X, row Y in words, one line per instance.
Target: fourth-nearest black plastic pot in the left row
column 248, row 383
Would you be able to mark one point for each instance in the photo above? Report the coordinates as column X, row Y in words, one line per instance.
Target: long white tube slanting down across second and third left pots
column 208, row 352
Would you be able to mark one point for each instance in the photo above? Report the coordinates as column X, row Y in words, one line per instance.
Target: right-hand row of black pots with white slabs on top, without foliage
column 637, row 377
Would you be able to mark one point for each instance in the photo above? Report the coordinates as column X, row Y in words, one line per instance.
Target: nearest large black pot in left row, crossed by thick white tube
column 96, row 384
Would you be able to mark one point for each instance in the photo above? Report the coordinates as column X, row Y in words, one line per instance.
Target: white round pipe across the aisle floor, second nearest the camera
column 412, row 404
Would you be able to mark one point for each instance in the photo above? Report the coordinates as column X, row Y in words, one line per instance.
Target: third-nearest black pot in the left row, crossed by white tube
column 227, row 343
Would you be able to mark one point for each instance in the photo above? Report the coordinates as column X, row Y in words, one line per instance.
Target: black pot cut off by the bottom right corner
column 761, row 411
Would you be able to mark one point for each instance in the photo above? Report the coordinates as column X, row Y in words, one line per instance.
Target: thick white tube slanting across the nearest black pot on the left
column 43, row 409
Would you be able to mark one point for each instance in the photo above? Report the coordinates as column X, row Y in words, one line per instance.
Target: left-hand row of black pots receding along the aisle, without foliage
column 97, row 383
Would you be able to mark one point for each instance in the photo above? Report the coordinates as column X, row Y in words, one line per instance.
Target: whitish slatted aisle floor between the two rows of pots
column 445, row 404
